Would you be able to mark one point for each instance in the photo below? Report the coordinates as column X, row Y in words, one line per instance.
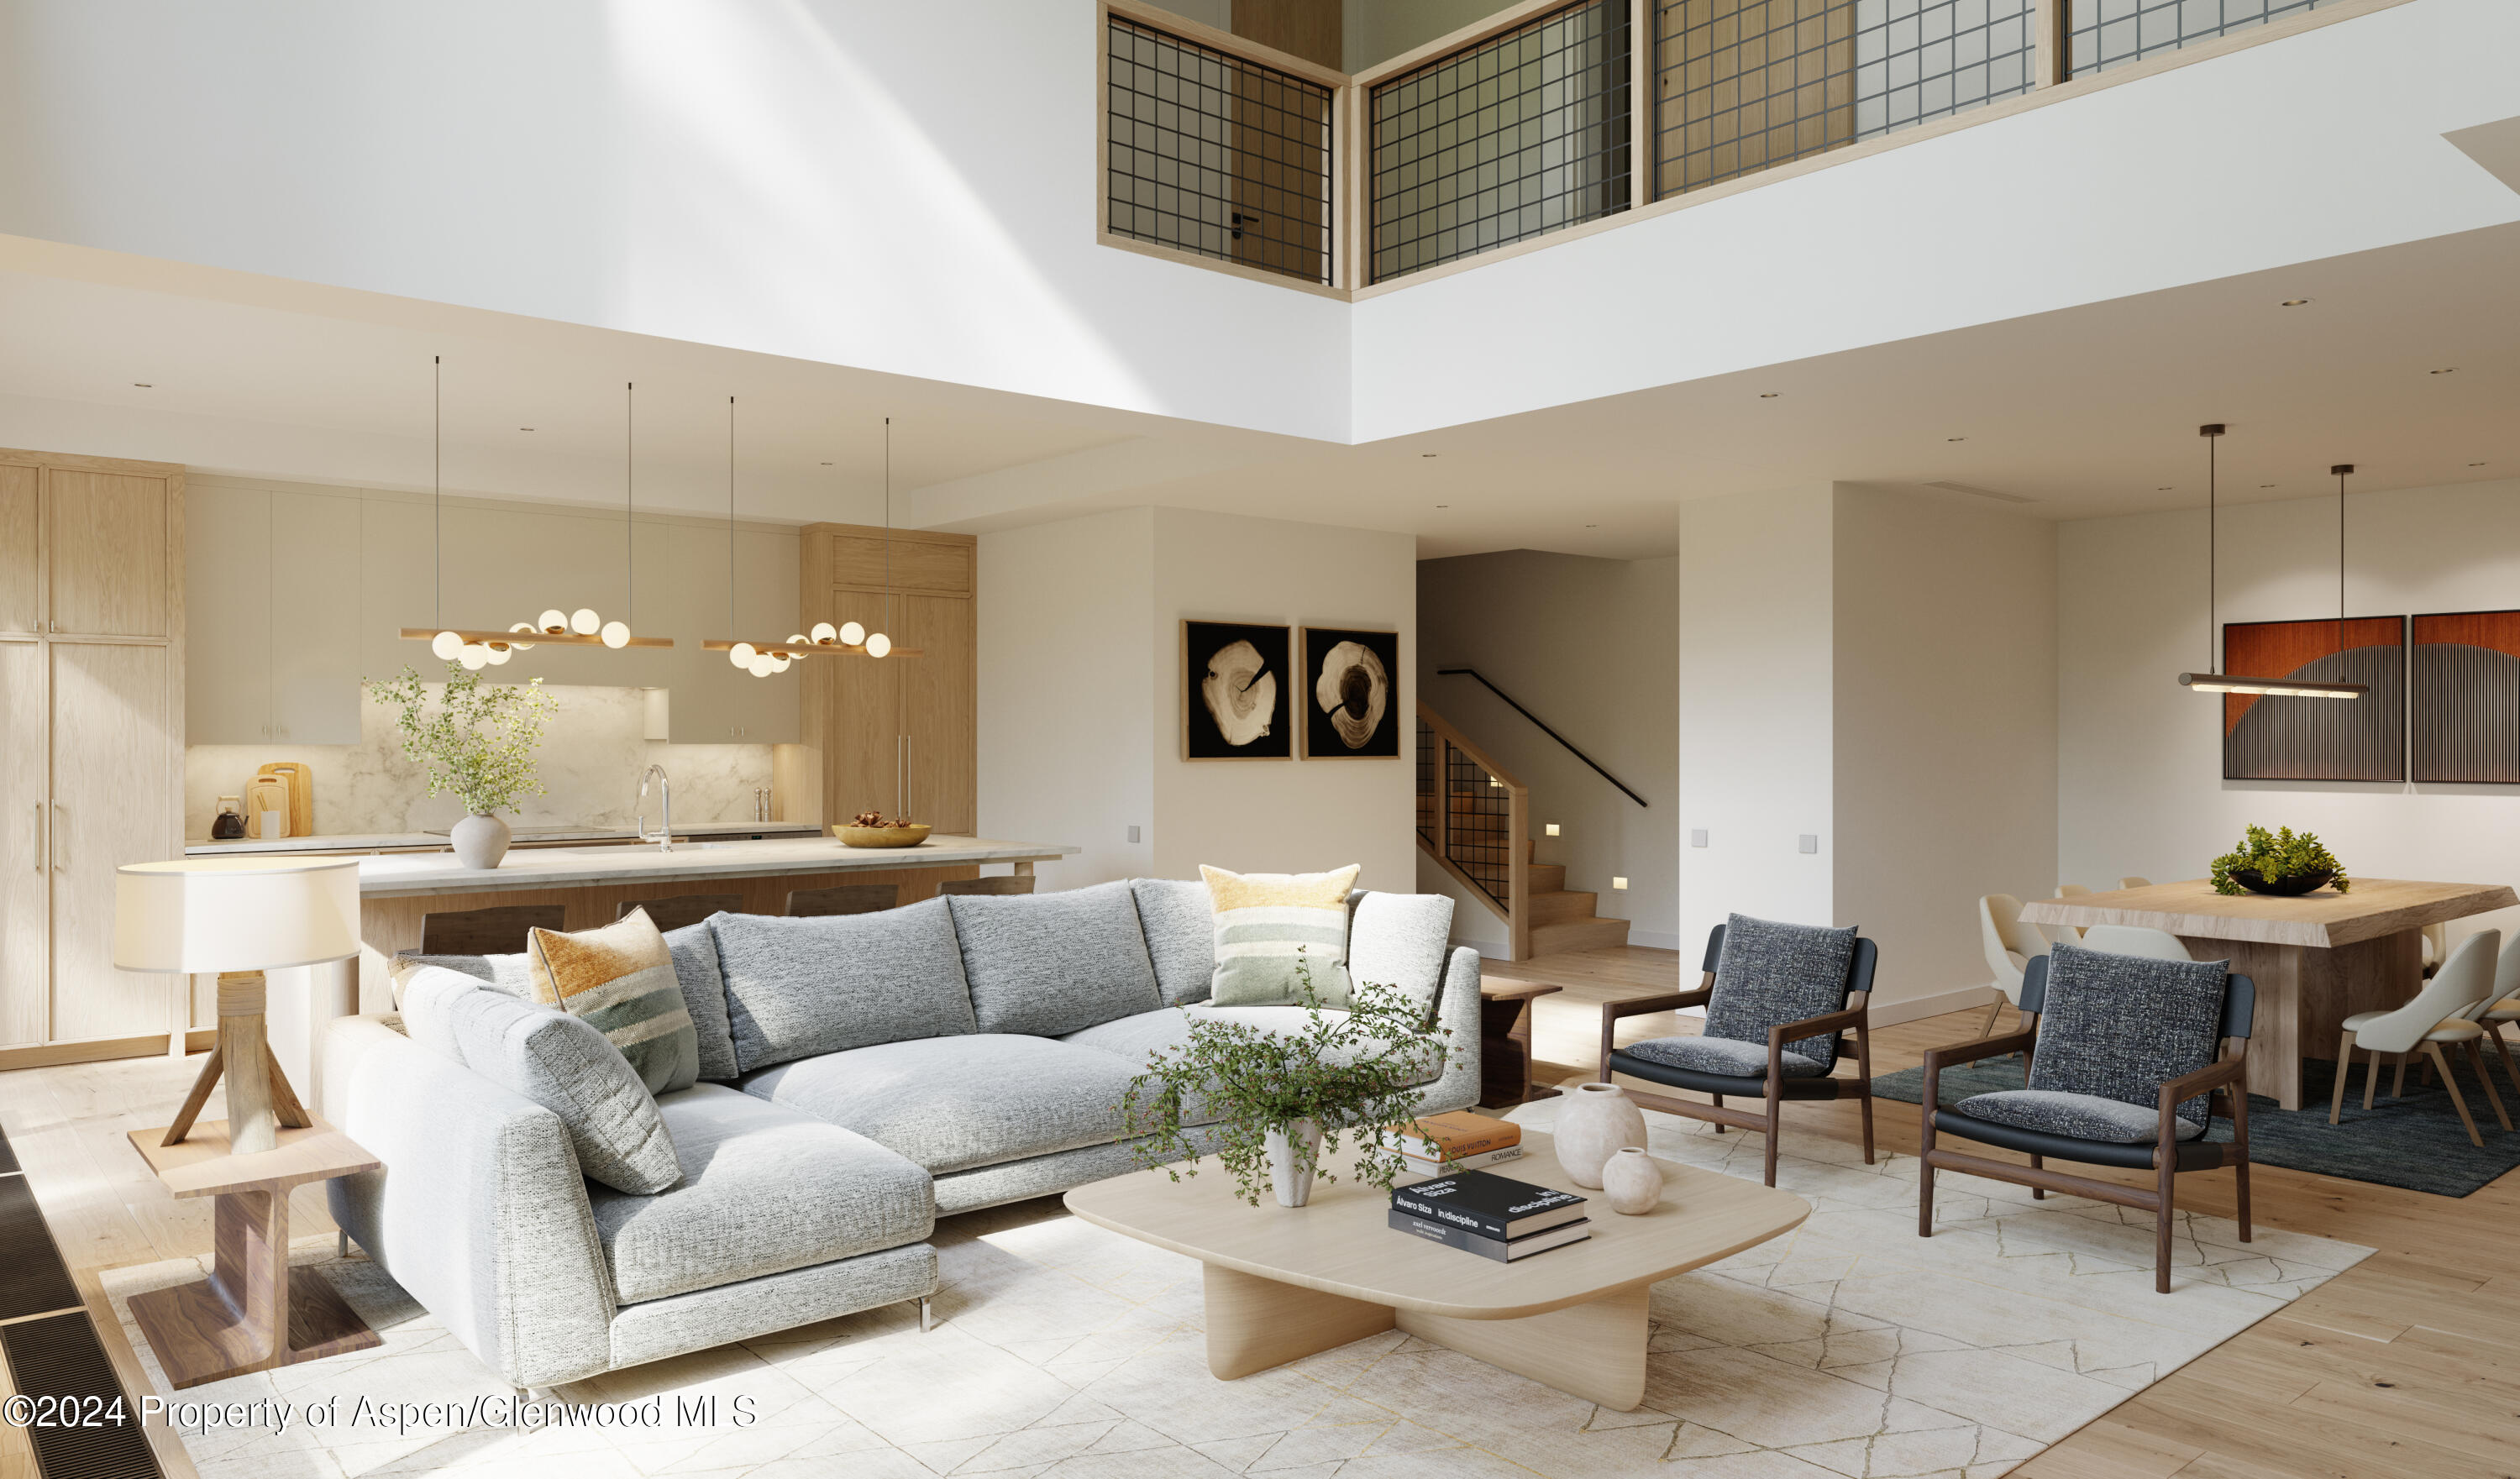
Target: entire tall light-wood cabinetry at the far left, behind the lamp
column 92, row 742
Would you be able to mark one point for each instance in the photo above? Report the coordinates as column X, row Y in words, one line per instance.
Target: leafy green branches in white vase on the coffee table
column 1281, row 1100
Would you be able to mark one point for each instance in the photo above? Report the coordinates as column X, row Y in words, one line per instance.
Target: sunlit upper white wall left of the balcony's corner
column 858, row 183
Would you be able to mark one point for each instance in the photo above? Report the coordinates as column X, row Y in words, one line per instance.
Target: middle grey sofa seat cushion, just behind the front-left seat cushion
column 961, row 1102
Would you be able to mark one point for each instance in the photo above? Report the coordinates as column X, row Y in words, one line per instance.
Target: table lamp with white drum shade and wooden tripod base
column 238, row 916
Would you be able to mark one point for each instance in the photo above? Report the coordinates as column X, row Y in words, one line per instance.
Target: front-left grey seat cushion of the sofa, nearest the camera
column 765, row 1191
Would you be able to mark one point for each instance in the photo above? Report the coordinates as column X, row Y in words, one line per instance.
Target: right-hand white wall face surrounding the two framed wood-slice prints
column 1281, row 815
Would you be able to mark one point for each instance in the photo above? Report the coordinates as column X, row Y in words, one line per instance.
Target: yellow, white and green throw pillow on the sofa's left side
column 621, row 984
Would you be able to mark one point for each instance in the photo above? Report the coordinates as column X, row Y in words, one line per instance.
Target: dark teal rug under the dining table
column 2410, row 1143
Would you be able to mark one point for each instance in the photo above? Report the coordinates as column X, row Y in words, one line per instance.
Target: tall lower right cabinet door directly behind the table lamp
column 115, row 775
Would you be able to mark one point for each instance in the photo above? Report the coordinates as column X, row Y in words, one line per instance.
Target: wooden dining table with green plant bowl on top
column 2317, row 959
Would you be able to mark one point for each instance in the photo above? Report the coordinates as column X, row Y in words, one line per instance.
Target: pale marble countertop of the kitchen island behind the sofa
column 551, row 868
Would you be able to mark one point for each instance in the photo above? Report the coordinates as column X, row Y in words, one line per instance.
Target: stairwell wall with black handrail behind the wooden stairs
column 1594, row 649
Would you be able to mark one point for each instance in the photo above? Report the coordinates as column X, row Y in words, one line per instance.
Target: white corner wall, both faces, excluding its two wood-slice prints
column 1082, row 694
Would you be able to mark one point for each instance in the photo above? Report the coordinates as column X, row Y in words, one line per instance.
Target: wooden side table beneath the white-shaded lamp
column 253, row 1311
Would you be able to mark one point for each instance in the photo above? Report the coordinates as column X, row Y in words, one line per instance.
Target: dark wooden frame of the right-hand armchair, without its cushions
column 2163, row 1153
